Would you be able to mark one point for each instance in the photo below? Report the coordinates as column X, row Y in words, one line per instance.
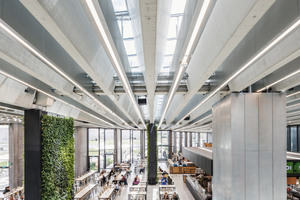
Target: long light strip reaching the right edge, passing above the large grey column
column 248, row 64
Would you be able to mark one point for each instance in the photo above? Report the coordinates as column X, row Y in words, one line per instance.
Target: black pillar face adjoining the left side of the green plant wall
column 33, row 153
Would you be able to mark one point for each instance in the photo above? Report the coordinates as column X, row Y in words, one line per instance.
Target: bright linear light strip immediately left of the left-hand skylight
column 116, row 62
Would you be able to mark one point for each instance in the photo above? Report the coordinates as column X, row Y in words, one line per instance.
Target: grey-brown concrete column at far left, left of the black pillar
column 16, row 149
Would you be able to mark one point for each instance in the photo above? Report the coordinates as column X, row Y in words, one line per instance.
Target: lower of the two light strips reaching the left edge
column 53, row 97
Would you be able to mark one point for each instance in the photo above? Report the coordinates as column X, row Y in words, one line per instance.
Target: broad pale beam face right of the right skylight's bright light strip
column 216, row 52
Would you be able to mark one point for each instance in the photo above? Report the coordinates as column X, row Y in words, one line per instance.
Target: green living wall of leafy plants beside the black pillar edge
column 57, row 158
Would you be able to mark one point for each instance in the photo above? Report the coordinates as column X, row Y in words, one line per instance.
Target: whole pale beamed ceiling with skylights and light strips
column 54, row 56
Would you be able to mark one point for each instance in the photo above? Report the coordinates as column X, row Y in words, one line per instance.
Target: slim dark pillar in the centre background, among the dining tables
column 152, row 158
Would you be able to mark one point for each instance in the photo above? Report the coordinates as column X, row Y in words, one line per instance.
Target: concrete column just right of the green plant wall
column 81, row 151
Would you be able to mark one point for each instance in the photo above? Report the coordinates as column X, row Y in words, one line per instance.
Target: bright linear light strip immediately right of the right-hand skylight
column 187, row 54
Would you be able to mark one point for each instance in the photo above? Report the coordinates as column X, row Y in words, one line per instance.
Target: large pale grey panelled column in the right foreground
column 249, row 147
